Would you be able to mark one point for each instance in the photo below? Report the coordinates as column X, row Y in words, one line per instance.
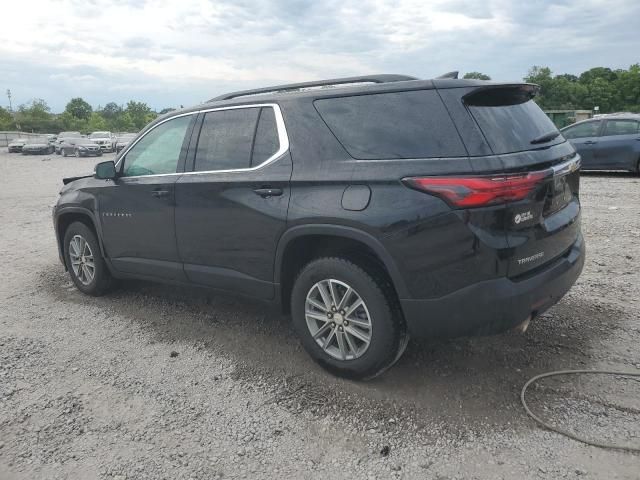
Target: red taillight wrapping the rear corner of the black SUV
column 468, row 192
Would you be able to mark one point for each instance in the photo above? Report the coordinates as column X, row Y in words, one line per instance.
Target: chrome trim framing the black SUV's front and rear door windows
column 283, row 139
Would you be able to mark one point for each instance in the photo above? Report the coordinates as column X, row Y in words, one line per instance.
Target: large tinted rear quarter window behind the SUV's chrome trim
column 392, row 125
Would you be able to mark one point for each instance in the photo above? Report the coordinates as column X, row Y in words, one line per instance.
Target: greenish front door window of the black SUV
column 159, row 150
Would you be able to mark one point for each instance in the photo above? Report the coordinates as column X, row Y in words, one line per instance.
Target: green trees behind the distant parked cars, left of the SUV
column 78, row 115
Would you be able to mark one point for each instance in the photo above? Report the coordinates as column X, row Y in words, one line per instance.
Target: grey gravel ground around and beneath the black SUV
column 162, row 382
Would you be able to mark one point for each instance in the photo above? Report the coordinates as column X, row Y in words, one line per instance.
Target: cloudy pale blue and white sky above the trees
column 168, row 53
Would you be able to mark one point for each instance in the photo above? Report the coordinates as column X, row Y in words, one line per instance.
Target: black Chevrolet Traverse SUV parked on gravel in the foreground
column 370, row 208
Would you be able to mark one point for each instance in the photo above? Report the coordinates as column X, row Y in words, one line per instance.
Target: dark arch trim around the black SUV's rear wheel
column 298, row 236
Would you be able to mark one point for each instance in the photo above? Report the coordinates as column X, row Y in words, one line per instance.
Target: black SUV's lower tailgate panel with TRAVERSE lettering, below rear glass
column 545, row 226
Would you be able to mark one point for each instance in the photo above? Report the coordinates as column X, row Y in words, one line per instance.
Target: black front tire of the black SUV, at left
column 101, row 281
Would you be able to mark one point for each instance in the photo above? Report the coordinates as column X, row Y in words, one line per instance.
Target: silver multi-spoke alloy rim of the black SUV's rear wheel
column 338, row 319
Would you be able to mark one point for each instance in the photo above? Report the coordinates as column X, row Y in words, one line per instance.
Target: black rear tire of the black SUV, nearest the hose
column 387, row 332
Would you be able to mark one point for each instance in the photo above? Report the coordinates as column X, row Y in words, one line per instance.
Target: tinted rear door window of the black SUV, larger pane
column 226, row 139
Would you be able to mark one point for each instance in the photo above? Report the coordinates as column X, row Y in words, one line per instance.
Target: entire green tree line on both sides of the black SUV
column 611, row 90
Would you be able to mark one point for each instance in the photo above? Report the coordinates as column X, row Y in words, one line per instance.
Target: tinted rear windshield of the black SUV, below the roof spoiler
column 511, row 128
